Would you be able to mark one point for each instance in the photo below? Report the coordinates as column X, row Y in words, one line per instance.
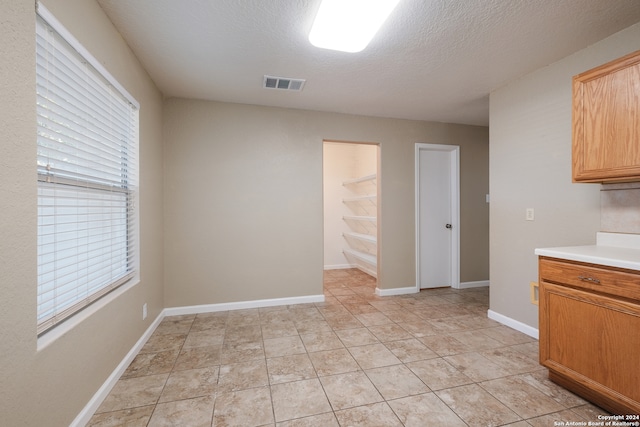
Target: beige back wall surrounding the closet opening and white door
column 243, row 199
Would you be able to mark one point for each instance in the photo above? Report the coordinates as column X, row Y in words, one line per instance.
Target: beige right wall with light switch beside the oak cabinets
column 530, row 134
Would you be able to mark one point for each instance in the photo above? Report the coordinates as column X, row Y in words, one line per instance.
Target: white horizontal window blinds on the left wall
column 87, row 146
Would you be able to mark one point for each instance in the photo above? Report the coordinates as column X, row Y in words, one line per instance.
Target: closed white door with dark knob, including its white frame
column 437, row 216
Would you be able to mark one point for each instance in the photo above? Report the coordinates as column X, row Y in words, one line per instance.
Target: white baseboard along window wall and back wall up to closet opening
column 87, row 412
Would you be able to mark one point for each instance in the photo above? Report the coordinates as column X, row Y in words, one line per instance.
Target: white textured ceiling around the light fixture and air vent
column 432, row 60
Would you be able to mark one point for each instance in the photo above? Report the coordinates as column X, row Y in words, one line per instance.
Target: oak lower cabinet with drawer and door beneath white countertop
column 590, row 331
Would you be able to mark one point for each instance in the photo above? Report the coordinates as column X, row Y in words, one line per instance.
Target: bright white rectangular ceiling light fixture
column 349, row 25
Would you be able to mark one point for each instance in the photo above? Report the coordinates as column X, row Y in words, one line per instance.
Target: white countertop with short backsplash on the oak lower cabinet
column 611, row 249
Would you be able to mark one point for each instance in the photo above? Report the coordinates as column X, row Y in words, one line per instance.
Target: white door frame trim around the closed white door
column 454, row 151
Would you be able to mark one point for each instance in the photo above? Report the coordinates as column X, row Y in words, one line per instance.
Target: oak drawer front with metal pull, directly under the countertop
column 606, row 280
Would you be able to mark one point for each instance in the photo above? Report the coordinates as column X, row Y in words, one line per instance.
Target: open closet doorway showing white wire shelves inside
column 351, row 205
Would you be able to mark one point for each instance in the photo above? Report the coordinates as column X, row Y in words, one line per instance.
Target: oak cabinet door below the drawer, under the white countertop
column 594, row 341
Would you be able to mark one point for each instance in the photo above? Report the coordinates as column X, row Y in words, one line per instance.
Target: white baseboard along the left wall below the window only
column 92, row 406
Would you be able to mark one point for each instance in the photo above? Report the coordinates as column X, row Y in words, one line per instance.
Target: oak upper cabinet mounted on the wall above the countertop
column 606, row 122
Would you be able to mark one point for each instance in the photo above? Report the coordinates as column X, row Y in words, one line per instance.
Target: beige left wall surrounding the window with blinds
column 49, row 387
